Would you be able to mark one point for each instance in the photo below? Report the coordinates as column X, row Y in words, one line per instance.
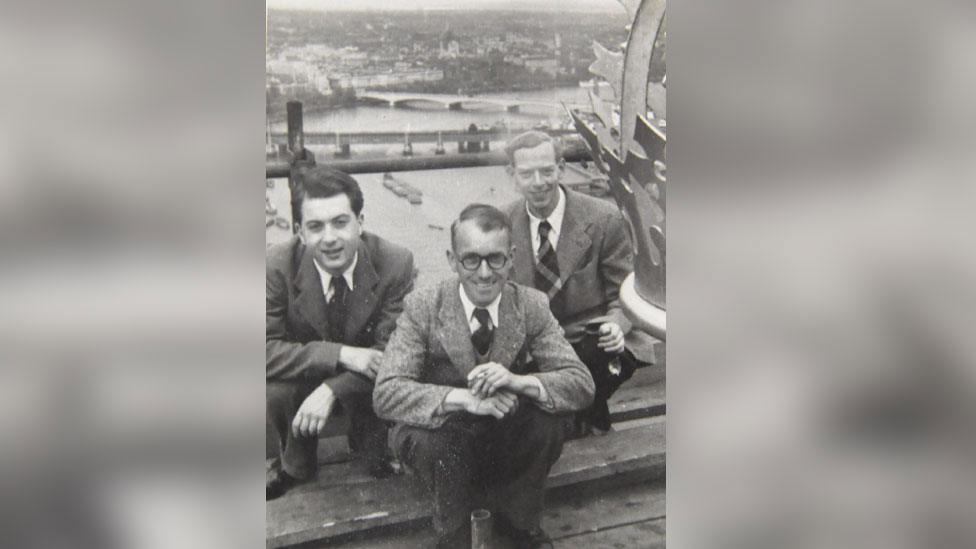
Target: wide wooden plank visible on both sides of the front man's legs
column 318, row 510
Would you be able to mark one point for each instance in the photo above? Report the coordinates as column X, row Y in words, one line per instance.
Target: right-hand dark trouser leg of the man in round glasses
column 524, row 448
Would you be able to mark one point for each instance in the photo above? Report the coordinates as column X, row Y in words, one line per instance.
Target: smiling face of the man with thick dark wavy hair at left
column 331, row 229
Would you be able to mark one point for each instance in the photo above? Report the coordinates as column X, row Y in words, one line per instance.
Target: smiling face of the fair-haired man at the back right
column 536, row 174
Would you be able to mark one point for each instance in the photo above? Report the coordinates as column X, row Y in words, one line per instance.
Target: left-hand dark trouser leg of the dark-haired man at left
column 297, row 454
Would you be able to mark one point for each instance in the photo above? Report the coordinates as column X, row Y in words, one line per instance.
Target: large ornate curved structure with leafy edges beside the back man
column 632, row 152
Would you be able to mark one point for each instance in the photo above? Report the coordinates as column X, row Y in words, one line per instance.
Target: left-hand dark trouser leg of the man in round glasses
column 445, row 461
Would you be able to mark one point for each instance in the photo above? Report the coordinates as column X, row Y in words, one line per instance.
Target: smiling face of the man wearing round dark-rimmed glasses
column 483, row 284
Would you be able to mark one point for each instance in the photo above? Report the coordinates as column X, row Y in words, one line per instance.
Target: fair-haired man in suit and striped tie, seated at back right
column 575, row 248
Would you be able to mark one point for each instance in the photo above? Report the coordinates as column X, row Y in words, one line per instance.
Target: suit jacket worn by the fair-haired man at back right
column 594, row 254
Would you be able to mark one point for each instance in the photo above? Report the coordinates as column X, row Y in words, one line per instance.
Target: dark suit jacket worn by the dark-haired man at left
column 296, row 328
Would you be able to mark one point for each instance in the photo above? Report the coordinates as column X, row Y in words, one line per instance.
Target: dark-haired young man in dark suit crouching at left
column 333, row 295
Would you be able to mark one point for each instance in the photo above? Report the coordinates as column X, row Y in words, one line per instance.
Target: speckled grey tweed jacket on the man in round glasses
column 431, row 352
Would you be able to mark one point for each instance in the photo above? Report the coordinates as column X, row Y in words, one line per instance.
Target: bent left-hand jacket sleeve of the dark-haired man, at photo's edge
column 289, row 360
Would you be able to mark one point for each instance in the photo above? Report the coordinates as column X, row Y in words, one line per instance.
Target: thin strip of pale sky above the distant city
column 541, row 5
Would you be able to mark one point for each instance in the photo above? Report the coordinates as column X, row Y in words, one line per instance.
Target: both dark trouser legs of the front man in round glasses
column 473, row 461
